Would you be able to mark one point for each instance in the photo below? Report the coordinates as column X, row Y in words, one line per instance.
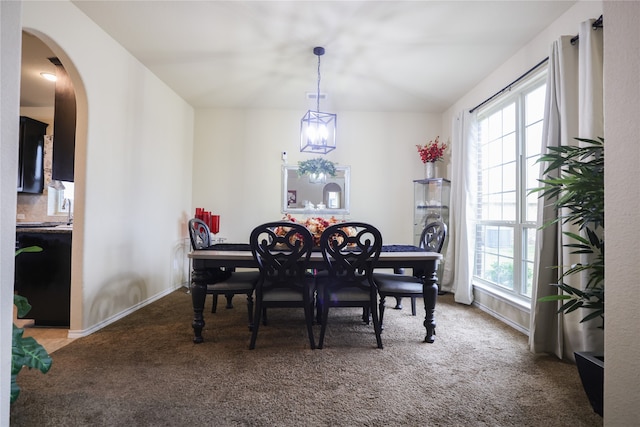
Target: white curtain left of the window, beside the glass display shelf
column 462, row 233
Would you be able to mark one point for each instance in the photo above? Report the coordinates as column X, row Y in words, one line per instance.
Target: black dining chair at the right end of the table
column 432, row 239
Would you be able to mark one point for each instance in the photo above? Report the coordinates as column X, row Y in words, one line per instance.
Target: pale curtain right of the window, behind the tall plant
column 574, row 108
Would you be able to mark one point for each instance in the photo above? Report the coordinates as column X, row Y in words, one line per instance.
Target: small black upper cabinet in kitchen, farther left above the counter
column 31, row 155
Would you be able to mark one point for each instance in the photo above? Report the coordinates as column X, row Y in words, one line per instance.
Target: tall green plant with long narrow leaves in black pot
column 574, row 180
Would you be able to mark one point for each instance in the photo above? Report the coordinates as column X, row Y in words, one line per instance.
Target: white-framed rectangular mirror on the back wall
column 307, row 194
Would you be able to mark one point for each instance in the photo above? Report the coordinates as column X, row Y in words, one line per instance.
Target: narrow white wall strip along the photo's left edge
column 10, row 42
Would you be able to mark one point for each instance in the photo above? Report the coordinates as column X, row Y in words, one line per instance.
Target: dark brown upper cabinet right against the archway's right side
column 64, row 126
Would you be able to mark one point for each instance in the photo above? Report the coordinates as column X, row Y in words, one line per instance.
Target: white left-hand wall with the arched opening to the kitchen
column 133, row 162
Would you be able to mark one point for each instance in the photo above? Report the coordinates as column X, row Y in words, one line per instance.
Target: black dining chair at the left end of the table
column 219, row 281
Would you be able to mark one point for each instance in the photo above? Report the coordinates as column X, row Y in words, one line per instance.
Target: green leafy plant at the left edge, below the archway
column 25, row 351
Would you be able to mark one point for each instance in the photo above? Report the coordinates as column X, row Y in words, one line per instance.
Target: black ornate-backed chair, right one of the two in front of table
column 350, row 250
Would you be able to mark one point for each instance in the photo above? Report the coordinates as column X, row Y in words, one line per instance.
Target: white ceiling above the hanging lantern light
column 380, row 55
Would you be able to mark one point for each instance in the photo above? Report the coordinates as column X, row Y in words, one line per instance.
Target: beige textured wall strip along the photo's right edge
column 622, row 204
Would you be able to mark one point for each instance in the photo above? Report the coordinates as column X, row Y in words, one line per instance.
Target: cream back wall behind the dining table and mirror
column 237, row 165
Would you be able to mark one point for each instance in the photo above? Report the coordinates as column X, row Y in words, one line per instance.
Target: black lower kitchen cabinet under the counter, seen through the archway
column 44, row 278
